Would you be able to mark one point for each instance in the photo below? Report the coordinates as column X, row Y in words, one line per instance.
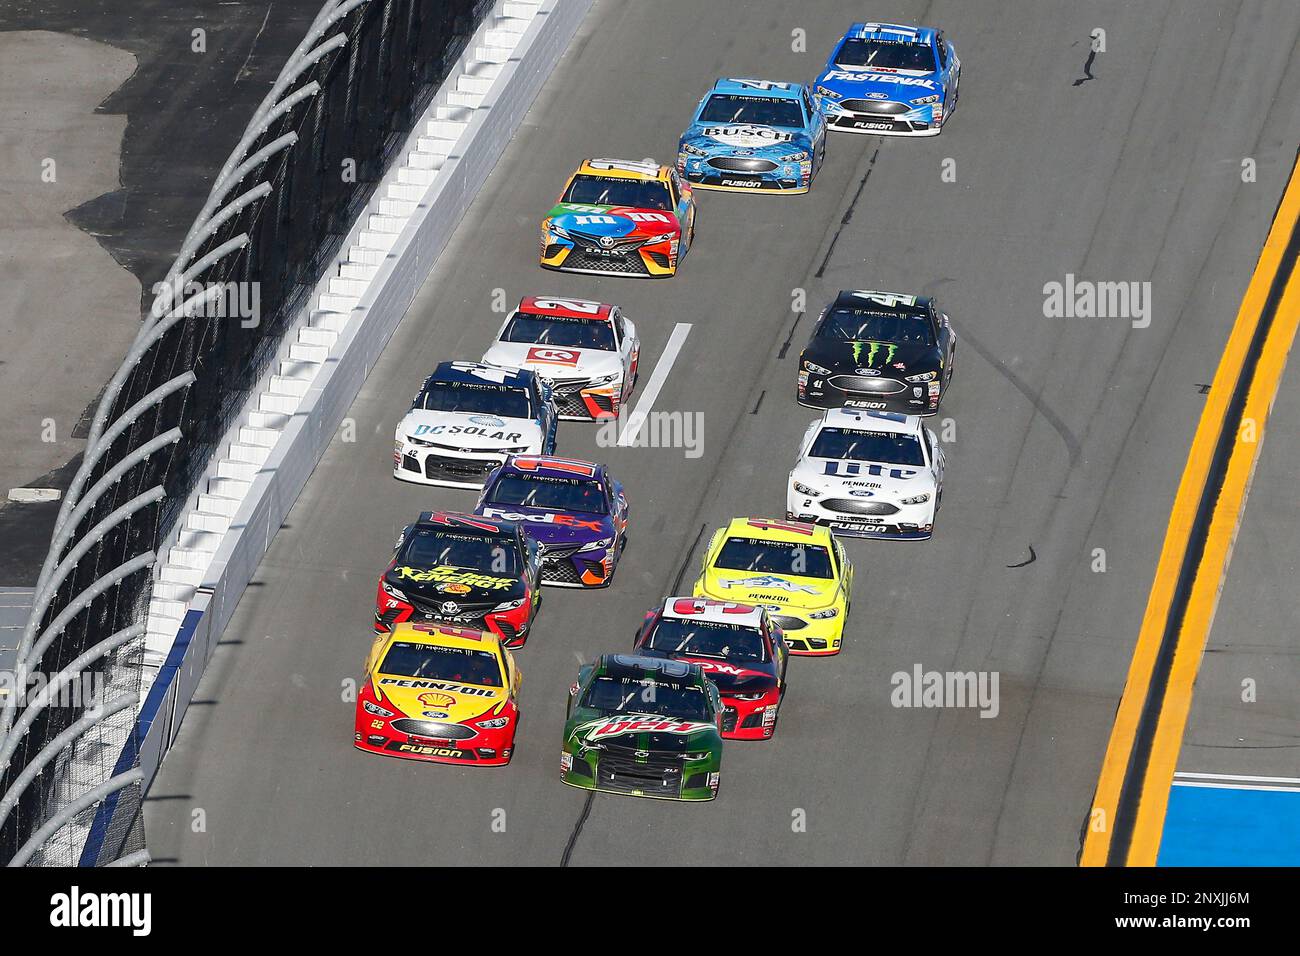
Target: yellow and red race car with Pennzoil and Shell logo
column 447, row 695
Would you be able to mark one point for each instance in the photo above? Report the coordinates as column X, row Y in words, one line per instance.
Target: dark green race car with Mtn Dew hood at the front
column 644, row 726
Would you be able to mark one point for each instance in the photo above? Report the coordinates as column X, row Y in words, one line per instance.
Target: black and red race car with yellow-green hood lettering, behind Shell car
column 462, row 570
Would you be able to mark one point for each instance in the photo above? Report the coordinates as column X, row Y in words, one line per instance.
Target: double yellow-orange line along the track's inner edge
column 1124, row 752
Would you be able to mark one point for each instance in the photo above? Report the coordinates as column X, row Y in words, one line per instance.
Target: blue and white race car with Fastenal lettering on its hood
column 892, row 80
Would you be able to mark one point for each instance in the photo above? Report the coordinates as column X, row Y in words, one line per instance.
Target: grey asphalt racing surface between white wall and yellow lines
column 1067, row 436
